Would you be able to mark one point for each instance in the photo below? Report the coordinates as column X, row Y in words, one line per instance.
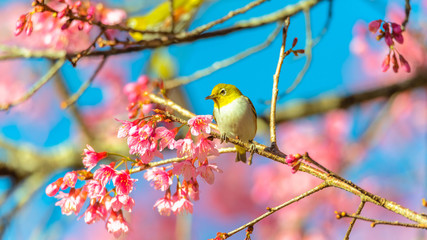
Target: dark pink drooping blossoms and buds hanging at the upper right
column 390, row 37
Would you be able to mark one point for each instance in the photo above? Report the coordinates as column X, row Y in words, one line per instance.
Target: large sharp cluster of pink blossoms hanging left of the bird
column 108, row 188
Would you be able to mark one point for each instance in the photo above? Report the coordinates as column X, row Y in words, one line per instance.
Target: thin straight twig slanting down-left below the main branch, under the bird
column 275, row 209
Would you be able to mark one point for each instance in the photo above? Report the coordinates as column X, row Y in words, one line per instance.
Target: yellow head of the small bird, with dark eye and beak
column 223, row 94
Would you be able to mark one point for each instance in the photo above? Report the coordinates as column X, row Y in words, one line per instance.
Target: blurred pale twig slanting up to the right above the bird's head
column 223, row 63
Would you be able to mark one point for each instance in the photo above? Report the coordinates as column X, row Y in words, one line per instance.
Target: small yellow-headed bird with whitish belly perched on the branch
column 235, row 115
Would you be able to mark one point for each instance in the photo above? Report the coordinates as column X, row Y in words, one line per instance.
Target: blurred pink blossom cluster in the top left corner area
column 67, row 24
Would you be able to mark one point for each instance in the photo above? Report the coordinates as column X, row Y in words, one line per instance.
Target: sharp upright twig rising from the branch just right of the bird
column 276, row 83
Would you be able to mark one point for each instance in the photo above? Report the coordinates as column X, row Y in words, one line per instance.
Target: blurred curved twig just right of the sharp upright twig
column 308, row 55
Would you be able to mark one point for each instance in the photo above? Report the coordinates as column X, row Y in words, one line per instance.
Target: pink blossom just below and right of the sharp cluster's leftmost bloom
column 71, row 202
